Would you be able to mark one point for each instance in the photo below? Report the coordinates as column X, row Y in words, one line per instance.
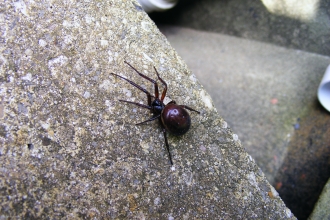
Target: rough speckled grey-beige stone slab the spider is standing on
column 70, row 149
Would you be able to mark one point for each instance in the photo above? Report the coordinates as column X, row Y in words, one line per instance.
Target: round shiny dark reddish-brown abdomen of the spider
column 175, row 119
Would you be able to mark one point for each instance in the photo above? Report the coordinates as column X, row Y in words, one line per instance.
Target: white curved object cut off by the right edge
column 323, row 92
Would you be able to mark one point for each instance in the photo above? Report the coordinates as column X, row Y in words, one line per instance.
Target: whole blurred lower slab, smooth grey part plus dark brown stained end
column 267, row 94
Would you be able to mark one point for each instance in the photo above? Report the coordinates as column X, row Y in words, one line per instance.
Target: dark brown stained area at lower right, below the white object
column 306, row 167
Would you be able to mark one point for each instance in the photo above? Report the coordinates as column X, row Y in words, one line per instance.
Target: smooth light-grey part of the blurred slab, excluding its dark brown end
column 261, row 89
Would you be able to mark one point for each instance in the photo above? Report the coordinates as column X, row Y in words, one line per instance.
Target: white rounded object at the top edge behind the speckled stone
column 157, row 5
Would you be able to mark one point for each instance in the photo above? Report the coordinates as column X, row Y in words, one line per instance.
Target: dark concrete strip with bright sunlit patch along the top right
column 303, row 25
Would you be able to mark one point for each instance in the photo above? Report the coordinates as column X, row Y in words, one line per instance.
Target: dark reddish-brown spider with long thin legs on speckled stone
column 172, row 117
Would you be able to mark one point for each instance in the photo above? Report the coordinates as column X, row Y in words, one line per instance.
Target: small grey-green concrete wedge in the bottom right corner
column 321, row 209
